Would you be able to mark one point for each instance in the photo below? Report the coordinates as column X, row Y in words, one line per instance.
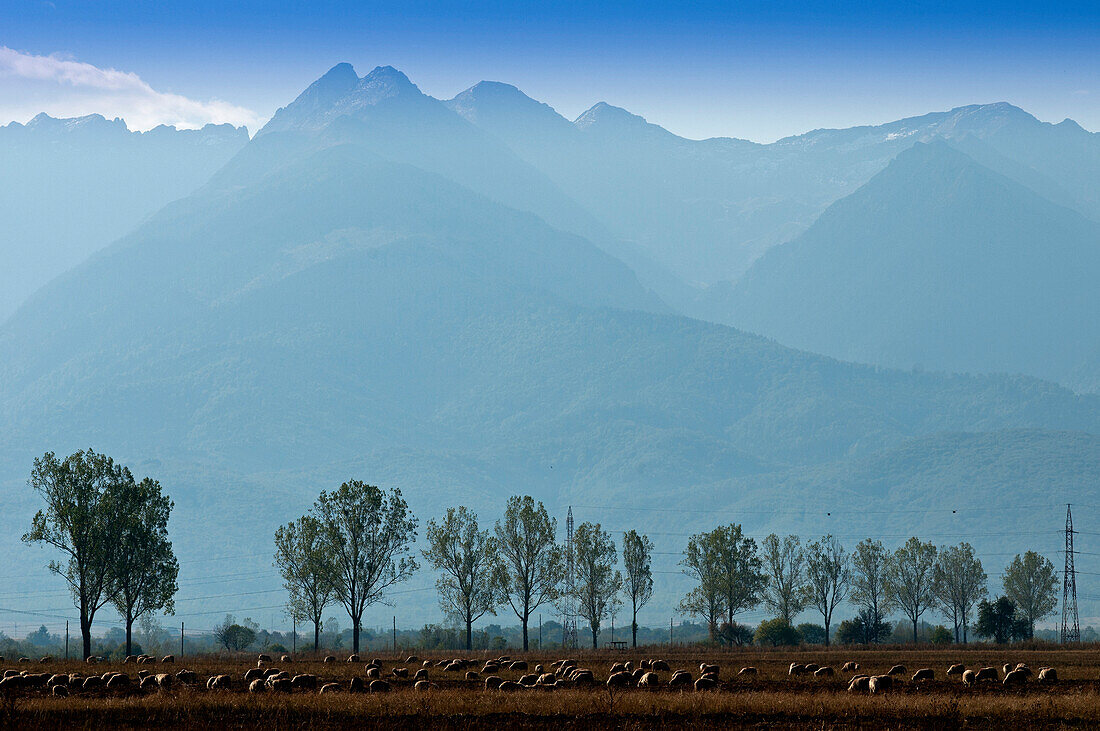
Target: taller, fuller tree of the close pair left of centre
column 368, row 534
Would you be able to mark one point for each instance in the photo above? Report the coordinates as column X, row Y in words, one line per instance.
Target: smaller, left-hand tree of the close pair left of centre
column 303, row 558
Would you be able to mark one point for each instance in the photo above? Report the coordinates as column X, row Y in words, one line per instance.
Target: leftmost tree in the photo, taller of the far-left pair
column 80, row 520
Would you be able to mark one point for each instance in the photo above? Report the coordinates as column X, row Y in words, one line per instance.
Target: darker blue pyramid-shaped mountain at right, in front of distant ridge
column 937, row 262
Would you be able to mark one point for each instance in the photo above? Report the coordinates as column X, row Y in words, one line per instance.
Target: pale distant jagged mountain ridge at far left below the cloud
column 72, row 186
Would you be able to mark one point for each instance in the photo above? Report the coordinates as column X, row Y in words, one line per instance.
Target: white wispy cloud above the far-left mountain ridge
column 62, row 87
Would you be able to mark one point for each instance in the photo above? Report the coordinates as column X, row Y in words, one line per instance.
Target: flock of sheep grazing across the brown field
column 563, row 673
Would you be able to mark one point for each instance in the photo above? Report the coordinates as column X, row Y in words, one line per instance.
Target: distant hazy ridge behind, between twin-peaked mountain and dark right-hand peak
column 707, row 209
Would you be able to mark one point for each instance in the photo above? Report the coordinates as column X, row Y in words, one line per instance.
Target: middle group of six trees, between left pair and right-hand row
column 357, row 544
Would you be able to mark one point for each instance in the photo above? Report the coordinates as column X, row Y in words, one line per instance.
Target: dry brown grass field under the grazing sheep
column 769, row 700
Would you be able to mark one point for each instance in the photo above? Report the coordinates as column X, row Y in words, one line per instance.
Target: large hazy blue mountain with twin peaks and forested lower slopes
column 351, row 296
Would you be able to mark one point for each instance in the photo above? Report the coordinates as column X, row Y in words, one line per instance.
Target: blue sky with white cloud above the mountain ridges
column 760, row 71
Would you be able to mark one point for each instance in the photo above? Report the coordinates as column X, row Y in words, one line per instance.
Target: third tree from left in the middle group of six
column 470, row 584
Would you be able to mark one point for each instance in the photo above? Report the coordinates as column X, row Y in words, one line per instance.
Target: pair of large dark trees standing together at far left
column 114, row 534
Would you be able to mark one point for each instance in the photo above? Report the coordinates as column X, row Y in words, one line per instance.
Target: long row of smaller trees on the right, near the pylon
column 734, row 575
